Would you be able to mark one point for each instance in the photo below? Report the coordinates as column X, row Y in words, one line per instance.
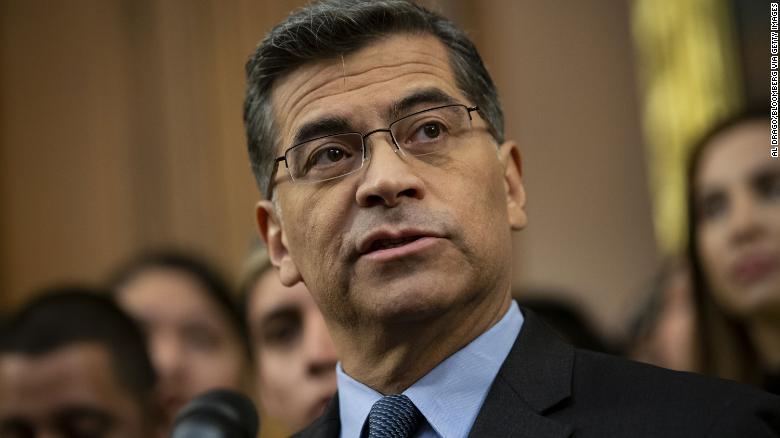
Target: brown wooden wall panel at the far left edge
column 64, row 130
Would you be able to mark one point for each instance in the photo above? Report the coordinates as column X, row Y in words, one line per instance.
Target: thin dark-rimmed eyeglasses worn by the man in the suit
column 333, row 156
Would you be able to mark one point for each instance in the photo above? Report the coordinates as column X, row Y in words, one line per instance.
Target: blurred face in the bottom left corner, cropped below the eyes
column 71, row 392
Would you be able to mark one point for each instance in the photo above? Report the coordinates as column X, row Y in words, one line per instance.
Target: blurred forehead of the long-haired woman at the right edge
column 733, row 156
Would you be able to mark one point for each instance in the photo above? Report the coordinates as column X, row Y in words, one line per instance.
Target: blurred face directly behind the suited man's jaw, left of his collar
column 295, row 357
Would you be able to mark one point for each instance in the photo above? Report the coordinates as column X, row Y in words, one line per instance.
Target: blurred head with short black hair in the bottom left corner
column 72, row 364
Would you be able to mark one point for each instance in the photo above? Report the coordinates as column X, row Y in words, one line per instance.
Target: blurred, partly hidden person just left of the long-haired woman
column 663, row 332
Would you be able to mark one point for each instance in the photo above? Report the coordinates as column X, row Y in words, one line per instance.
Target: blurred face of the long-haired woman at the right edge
column 738, row 202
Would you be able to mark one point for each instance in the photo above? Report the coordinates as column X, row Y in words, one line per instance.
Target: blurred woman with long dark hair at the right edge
column 734, row 248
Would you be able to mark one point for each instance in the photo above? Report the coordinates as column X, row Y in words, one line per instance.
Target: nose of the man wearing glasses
column 389, row 178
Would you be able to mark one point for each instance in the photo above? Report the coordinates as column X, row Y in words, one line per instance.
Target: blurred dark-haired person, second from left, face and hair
column 197, row 338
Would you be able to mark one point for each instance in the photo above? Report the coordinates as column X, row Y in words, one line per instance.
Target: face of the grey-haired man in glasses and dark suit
column 446, row 217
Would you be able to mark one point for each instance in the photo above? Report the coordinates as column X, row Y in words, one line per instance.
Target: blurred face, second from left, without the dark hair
column 193, row 346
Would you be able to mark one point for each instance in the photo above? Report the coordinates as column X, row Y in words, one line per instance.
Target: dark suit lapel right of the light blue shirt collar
column 535, row 377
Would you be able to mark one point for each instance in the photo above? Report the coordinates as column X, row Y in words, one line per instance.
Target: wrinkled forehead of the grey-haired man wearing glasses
column 363, row 84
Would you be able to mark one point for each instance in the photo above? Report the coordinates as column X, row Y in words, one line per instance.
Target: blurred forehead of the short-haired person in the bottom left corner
column 77, row 375
